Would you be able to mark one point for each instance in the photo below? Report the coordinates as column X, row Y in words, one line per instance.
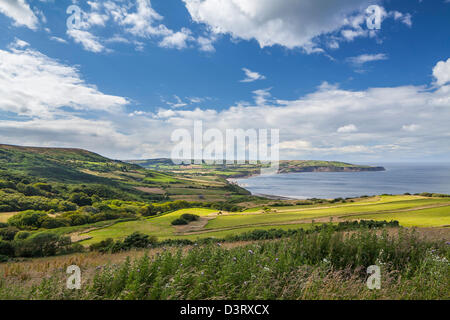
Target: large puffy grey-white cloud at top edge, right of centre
column 289, row 23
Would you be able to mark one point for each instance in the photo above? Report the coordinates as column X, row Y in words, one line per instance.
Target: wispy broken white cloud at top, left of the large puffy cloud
column 135, row 21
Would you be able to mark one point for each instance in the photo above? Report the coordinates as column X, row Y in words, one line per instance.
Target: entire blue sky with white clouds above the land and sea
column 341, row 80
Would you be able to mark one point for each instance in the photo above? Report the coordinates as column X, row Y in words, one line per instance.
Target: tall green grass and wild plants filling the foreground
column 323, row 265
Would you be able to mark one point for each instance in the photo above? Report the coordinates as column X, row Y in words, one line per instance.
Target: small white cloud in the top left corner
column 20, row 12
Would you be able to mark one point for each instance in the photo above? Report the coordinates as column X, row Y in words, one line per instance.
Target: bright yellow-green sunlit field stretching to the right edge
column 408, row 210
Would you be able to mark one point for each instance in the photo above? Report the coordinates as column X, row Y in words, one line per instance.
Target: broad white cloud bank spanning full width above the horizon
column 56, row 106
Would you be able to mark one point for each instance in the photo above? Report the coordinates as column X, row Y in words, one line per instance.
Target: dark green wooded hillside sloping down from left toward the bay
column 78, row 168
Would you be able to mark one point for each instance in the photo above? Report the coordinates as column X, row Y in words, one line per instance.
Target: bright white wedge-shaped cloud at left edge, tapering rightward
column 33, row 84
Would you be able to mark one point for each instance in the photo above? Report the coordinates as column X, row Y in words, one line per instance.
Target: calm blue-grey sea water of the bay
column 397, row 179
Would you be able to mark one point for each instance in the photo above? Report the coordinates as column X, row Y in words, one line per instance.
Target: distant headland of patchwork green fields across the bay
column 241, row 170
